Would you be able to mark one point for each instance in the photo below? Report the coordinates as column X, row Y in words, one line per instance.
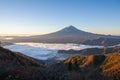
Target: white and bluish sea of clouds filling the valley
column 45, row 51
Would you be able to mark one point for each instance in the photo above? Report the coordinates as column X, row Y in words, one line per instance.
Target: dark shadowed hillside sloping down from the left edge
column 15, row 66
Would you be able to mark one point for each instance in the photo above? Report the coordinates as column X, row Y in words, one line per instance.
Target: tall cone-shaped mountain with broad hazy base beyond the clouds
column 68, row 34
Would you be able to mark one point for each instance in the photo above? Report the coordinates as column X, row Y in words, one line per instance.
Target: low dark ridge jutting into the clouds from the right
column 91, row 51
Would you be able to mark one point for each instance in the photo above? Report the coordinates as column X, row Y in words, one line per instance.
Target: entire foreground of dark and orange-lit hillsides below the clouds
column 15, row 66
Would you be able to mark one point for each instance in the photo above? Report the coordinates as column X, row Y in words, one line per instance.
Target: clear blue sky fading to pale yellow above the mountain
column 45, row 16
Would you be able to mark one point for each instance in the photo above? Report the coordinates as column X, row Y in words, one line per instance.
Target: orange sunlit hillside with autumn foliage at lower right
column 93, row 67
